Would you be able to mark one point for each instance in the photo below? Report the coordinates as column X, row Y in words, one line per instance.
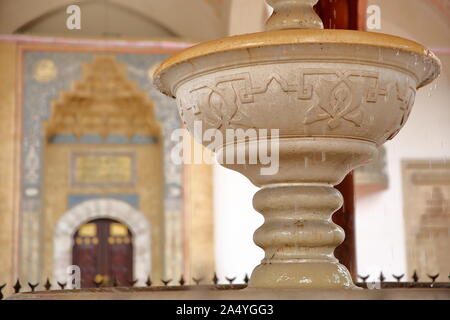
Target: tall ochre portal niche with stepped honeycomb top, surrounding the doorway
column 104, row 146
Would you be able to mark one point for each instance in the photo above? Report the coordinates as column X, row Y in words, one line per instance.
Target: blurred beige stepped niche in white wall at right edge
column 426, row 194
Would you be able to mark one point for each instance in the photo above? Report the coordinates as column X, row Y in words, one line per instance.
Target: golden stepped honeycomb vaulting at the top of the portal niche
column 103, row 107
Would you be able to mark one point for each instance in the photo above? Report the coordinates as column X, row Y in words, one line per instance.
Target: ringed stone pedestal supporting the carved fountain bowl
column 298, row 235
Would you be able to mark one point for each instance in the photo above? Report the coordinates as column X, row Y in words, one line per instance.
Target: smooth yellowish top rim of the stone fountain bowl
column 294, row 37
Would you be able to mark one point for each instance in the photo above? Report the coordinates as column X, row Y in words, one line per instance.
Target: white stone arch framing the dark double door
column 88, row 210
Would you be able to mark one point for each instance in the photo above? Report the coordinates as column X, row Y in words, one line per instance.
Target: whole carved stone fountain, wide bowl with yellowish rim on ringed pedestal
column 334, row 95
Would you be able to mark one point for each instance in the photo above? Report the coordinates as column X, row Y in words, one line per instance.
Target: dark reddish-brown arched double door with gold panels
column 103, row 249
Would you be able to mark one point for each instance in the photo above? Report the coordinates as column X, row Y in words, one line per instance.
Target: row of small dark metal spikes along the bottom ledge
column 428, row 281
